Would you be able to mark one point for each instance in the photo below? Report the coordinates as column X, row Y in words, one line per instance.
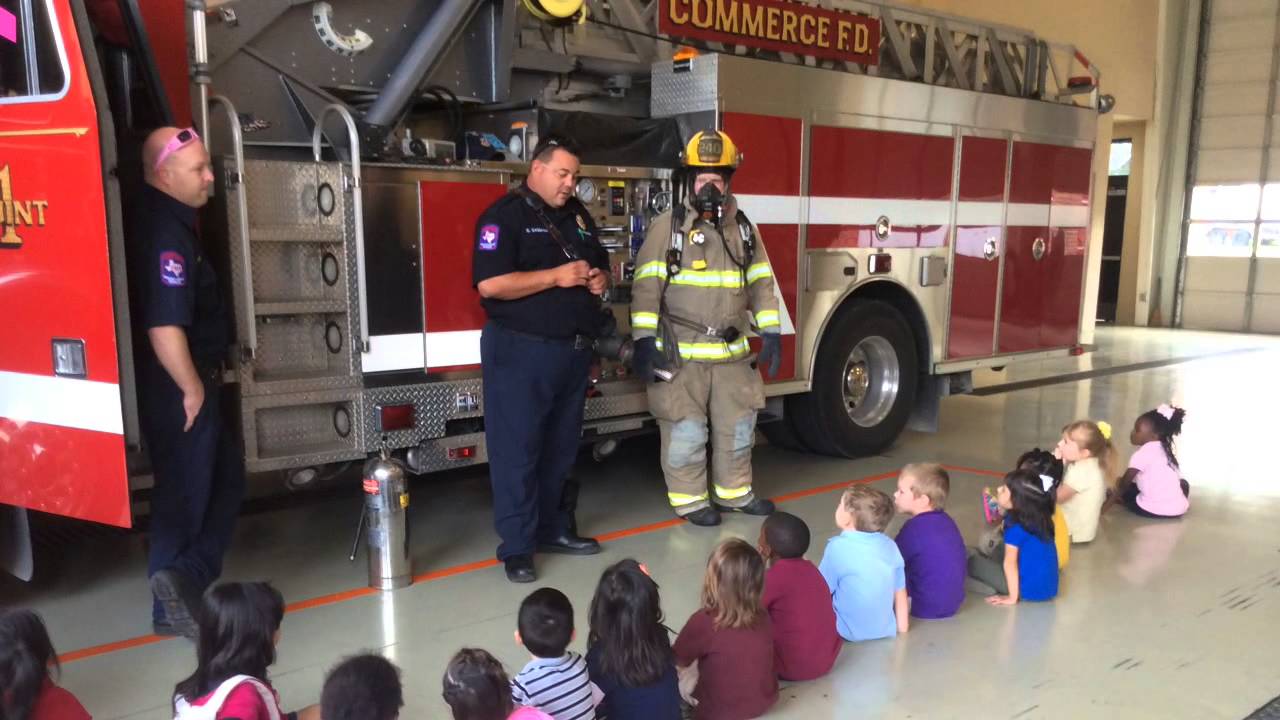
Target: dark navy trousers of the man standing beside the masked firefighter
column 534, row 394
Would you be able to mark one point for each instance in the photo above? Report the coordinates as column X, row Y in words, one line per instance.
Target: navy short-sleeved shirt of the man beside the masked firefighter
column 513, row 239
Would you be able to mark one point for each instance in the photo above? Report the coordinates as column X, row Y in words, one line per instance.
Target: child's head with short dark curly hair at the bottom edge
column 363, row 687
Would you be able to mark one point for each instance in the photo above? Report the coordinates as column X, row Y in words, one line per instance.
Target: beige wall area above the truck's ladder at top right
column 1118, row 37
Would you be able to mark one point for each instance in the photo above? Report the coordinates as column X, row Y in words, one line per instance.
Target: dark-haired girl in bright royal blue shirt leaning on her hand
column 1026, row 566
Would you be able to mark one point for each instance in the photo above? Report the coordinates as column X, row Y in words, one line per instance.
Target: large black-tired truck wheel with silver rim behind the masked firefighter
column 825, row 418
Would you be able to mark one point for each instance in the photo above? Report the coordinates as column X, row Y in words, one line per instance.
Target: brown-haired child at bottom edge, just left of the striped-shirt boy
column 477, row 689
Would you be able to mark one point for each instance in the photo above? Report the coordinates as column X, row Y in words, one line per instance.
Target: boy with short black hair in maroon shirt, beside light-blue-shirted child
column 806, row 642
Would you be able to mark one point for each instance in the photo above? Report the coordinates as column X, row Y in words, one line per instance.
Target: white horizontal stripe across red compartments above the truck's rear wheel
column 787, row 209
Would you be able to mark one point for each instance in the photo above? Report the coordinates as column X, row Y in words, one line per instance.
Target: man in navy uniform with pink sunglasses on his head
column 182, row 338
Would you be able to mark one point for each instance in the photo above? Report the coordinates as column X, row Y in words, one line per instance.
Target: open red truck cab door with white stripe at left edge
column 62, row 436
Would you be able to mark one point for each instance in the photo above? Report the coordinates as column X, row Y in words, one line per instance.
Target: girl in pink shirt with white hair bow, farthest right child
column 1153, row 486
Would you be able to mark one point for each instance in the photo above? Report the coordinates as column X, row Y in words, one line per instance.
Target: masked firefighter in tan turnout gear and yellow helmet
column 702, row 282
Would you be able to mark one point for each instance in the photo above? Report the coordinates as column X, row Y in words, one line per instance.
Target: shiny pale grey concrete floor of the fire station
column 1177, row 619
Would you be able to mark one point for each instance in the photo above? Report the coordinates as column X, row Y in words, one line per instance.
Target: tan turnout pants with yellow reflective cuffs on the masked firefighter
column 708, row 402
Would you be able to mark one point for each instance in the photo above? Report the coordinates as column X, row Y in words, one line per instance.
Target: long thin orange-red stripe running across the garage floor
column 99, row 650
